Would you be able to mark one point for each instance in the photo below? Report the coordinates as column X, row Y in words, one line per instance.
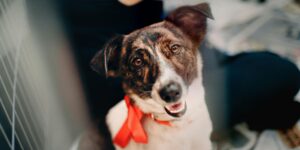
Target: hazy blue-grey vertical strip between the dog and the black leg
column 214, row 85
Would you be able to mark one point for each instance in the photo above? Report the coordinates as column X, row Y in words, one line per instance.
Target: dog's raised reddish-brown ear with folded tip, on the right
column 191, row 20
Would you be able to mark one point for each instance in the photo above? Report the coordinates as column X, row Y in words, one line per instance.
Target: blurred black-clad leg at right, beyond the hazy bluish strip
column 261, row 87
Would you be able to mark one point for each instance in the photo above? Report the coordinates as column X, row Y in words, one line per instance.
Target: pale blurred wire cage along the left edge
column 36, row 86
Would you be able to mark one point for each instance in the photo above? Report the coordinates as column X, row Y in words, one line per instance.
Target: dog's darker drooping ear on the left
column 107, row 60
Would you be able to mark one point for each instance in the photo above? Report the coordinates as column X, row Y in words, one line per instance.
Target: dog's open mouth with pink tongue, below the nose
column 176, row 109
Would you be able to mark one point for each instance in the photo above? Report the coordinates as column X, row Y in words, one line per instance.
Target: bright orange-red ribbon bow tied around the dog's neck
column 132, row 127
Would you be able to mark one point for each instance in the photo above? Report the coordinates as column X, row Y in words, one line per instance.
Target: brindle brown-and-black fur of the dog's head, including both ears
column 177, row 38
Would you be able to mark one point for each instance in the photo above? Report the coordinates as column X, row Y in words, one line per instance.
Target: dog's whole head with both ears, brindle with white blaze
column 158, row 63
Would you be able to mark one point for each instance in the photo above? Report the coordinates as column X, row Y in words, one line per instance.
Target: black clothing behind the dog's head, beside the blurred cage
column 91, row 23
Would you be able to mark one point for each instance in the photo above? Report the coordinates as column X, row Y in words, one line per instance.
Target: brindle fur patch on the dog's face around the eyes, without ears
column 145, row 44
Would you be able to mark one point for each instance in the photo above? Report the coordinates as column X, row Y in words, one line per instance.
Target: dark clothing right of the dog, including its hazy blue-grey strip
column 255, row 87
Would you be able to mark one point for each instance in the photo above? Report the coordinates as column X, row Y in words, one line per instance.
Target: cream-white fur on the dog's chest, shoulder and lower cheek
column 190, row 132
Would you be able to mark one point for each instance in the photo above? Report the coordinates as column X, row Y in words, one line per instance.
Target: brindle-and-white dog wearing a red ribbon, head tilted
column 161, row 71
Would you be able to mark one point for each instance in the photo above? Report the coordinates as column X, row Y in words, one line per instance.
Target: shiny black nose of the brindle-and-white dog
column 171, row 92
